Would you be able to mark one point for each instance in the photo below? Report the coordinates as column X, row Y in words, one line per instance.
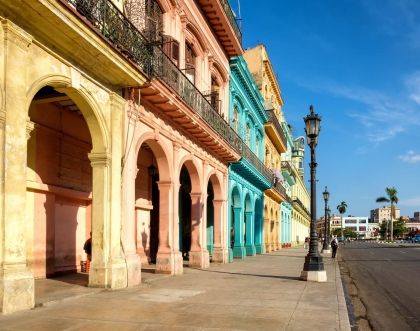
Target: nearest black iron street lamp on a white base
column 313, row 268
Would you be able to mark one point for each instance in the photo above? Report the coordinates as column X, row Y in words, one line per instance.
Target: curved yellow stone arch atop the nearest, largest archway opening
column 86, row 103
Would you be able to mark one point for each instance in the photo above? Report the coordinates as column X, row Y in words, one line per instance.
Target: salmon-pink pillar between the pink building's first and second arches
column 168, row 259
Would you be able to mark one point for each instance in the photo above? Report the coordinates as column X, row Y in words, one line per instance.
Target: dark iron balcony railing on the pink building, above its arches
column 164, row 69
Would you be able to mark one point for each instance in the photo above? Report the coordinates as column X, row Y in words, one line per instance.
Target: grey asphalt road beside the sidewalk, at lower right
column 387, row 277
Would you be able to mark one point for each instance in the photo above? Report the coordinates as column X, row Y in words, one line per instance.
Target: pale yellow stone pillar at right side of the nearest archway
column 108, row 268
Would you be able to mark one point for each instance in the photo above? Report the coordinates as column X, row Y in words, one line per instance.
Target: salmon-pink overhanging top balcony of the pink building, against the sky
column 222, row 20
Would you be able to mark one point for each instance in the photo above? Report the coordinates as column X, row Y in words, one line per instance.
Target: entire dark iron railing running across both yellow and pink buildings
column 108, row 20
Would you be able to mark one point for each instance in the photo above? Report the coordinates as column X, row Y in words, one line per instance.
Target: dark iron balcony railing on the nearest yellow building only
column 111, row 23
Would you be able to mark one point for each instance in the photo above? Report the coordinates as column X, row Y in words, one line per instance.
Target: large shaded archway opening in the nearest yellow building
column 59, row 186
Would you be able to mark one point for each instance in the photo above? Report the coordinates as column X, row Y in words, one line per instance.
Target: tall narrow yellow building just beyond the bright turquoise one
column 275, row 141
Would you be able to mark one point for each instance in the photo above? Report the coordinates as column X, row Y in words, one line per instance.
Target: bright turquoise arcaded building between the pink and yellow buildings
column 249, row 177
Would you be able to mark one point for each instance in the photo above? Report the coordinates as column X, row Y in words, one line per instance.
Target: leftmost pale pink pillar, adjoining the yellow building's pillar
column 128, row 212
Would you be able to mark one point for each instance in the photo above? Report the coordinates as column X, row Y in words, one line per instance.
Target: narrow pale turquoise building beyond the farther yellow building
column 288, row 182
